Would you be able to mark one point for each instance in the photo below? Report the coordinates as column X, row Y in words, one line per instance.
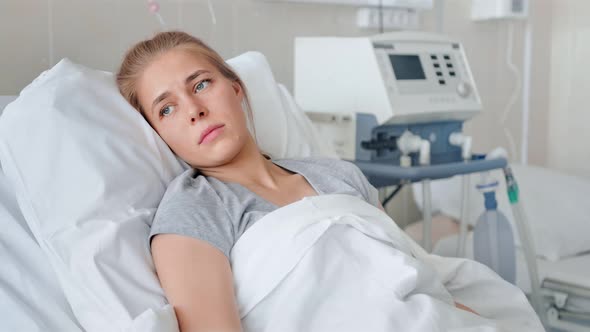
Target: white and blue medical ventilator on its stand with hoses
column 395, row 104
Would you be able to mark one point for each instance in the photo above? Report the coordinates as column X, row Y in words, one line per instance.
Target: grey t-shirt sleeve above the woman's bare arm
column 191, row 207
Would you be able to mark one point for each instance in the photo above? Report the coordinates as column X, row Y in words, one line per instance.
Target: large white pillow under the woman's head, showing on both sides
column 89, row 173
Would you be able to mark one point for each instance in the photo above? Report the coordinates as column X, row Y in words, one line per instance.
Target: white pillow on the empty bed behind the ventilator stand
column 556, row 206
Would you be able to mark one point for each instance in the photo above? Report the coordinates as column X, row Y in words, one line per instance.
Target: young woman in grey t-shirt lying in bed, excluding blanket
column 200, row 107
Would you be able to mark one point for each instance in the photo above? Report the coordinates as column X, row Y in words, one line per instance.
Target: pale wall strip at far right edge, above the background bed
column 569, row 115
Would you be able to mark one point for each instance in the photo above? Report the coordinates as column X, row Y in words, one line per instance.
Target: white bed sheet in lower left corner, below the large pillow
column 30, row 297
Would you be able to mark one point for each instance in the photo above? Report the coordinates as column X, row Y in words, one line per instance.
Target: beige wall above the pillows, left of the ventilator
column 36, row 34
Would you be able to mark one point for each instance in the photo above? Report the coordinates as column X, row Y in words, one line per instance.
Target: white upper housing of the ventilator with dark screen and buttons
column 400, row 77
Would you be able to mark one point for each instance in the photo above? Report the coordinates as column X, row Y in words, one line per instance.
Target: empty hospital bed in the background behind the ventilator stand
column 556, row 220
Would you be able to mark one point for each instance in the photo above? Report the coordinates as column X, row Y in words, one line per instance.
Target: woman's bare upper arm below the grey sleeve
column 198, row 283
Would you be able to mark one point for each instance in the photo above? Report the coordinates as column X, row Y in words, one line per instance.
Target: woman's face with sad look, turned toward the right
column 195, row 109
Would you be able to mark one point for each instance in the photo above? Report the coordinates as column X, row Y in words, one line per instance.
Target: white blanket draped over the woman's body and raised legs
column 337, row 263
